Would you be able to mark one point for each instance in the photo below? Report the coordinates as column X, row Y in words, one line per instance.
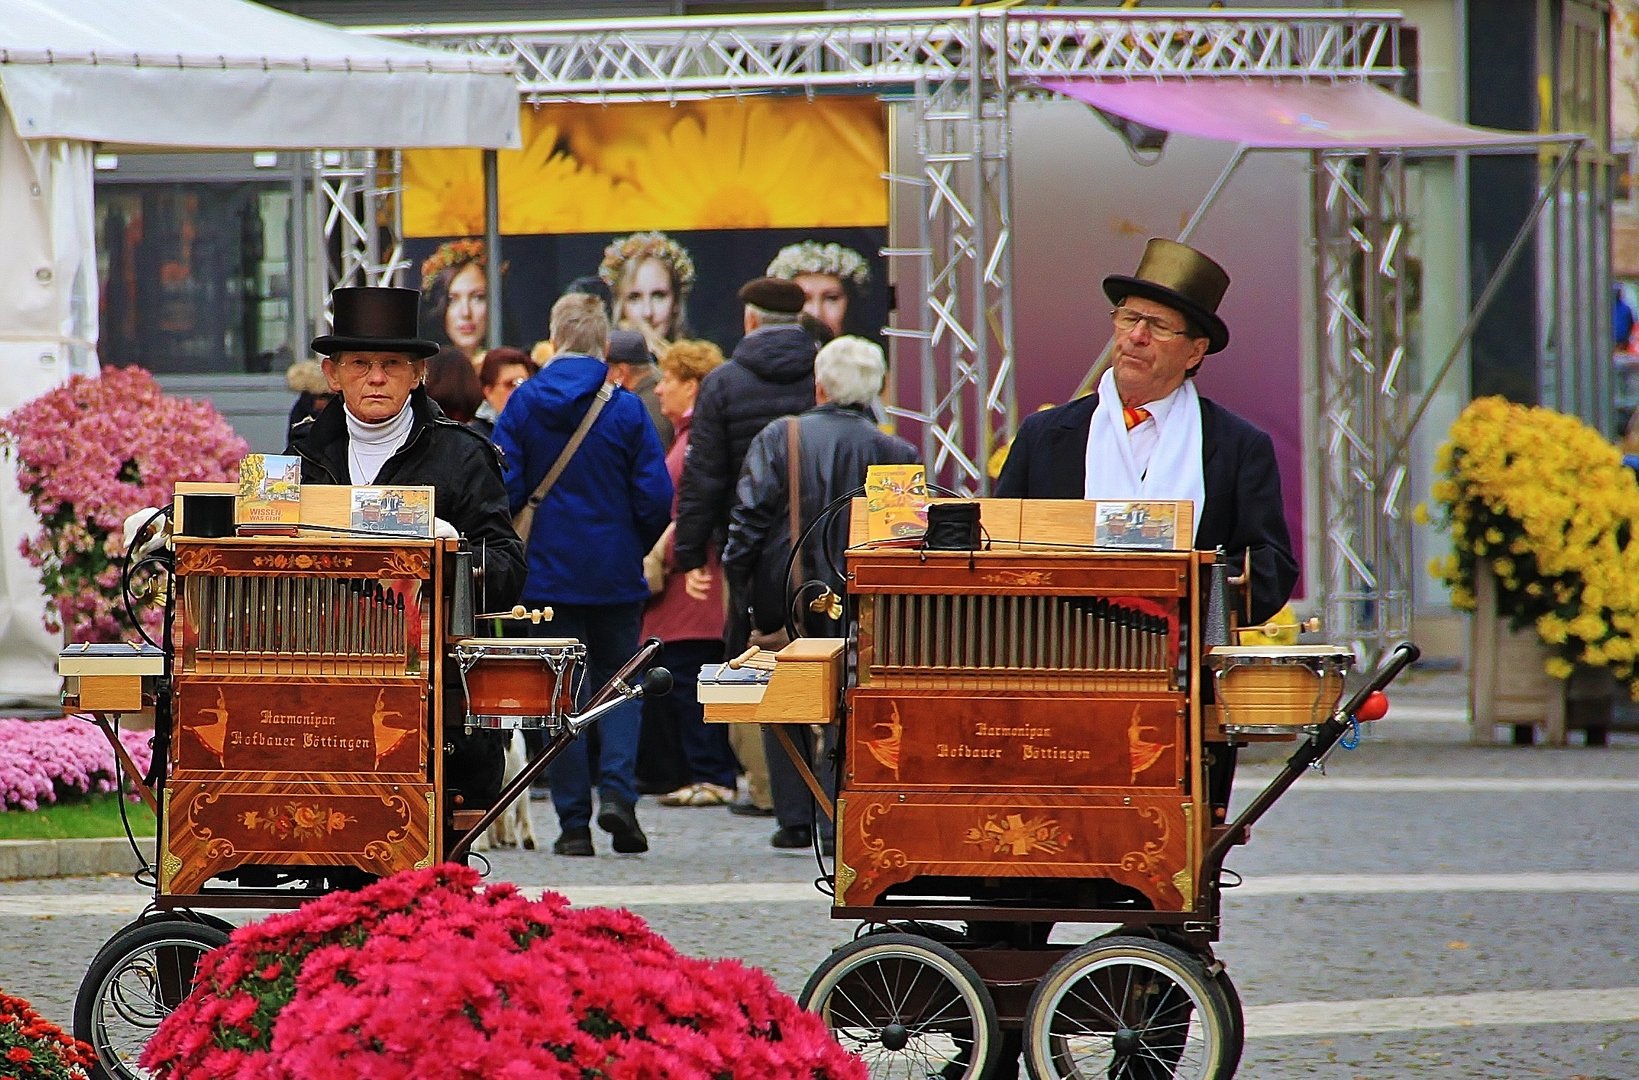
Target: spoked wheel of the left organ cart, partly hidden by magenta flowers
column 137, row 981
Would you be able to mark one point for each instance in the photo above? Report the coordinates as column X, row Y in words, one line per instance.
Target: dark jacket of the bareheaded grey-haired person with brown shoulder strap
column 835, row 447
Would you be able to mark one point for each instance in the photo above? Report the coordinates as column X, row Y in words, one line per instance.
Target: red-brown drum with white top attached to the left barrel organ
column 520, row 683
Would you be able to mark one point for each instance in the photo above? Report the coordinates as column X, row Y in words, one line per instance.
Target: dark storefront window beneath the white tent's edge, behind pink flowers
column 196, row 278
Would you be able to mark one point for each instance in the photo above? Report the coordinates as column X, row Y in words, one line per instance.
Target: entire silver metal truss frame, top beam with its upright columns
column 956, row 73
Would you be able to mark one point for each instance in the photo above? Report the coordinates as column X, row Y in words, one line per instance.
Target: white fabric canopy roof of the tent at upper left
column 235, row 75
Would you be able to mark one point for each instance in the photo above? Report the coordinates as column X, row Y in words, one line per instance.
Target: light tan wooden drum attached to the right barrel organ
column 1278, row 689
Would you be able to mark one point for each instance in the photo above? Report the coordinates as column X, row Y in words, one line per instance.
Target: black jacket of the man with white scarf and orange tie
column 1243, row 511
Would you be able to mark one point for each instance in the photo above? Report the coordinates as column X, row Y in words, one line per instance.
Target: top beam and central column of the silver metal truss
column 956, row 71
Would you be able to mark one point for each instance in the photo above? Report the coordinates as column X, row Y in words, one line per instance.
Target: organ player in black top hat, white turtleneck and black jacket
column 389, row 432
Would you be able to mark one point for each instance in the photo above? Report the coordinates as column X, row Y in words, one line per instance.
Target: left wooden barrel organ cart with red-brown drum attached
column 299, row 724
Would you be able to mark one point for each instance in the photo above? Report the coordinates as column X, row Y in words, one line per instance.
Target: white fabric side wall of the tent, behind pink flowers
column 48, row 332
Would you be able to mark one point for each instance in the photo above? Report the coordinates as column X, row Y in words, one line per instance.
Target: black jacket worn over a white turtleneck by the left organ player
column 456, row 463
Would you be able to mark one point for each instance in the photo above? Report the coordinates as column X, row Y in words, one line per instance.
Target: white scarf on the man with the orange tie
column 1174, row 470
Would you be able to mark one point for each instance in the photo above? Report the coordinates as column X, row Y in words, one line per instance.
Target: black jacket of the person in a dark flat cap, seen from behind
column 770, row 376
